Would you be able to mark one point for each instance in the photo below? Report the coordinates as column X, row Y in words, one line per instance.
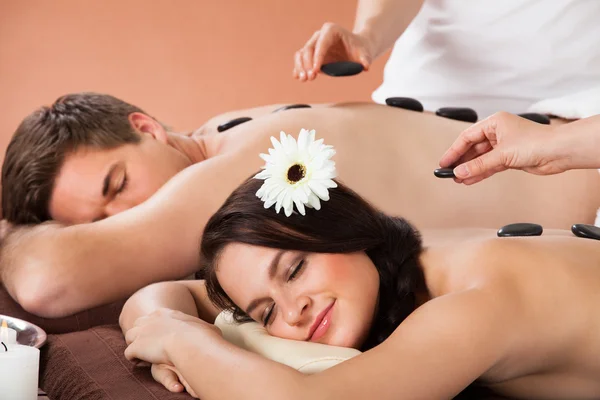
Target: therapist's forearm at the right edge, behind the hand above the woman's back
column 579, row 143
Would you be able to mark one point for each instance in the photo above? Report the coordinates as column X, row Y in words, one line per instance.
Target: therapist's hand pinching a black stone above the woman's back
column 505, row 141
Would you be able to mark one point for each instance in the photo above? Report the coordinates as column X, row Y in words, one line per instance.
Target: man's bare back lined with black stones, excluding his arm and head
column 388, row 156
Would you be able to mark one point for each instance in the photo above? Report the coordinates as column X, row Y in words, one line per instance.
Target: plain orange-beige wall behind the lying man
column 182, row 61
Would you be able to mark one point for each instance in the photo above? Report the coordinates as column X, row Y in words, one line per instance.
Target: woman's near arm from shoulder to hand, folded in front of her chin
column 438, row 351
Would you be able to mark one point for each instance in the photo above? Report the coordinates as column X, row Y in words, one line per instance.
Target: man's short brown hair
column 38, row 148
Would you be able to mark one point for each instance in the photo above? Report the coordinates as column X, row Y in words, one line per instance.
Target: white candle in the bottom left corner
column 19, row 367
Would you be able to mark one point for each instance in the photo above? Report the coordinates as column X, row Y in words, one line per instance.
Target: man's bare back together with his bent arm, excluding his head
column 385, row 154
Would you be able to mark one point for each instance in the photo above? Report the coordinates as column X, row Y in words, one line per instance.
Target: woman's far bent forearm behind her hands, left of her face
column 189, row 297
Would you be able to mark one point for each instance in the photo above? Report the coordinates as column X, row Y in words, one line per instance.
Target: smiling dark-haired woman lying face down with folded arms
column 518, row 315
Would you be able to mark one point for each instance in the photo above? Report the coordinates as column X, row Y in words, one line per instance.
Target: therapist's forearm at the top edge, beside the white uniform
column 383, row 21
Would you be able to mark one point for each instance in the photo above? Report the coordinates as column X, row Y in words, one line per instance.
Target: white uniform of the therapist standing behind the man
column 496, row 55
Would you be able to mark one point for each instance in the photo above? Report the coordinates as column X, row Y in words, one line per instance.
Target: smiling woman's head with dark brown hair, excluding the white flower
column 344, row 275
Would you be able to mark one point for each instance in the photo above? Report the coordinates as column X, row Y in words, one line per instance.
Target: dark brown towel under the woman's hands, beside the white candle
column 90, row 365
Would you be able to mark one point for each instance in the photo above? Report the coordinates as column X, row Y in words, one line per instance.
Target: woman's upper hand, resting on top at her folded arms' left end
column 152, row 335
